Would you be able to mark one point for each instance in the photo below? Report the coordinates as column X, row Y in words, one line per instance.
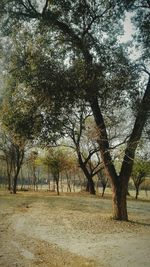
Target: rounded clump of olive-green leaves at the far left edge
column 20, row 117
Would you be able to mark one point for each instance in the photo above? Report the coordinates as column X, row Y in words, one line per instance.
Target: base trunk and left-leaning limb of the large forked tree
column 118, row 185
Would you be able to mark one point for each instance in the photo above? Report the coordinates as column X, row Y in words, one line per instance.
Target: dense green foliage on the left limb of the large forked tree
column 43, row 68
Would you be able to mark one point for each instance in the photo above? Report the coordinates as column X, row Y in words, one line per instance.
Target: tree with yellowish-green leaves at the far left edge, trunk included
column 13, row 140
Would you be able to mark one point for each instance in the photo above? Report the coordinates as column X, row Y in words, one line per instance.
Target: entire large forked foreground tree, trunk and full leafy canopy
column 68, row 51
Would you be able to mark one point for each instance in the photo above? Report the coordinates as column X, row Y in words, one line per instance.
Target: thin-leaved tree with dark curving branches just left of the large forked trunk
column 77, row 130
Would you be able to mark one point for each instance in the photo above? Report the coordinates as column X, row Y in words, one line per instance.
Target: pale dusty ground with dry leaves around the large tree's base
column 43, row 230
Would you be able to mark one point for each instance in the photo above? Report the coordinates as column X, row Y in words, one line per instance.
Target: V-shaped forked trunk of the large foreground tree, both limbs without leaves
column 120, row 183
